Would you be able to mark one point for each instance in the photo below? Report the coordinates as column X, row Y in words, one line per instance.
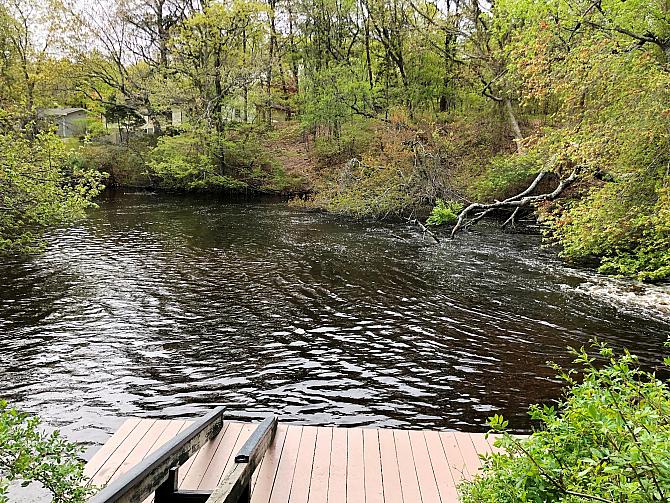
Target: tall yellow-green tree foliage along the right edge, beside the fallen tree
column 610, row 119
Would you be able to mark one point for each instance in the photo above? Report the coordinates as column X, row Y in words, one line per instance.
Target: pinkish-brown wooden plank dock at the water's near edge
column 307, row 464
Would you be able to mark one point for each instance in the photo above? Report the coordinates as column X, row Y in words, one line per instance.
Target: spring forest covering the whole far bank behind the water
column 371, row 108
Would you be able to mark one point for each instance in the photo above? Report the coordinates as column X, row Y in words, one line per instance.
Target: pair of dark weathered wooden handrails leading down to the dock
column 158, row 473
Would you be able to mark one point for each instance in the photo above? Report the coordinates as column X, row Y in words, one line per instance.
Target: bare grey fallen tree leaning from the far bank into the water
column 476, row 211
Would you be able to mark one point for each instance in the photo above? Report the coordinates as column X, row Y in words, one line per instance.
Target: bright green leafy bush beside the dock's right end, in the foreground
column 608, row 440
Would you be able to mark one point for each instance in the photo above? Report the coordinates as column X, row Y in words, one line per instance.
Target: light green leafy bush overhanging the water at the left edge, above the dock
column 42, row 184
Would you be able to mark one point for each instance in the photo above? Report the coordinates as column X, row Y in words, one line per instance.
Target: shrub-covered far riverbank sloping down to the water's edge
column 384, row 170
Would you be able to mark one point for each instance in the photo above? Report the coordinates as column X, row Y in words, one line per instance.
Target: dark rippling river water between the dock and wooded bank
column 162, row 306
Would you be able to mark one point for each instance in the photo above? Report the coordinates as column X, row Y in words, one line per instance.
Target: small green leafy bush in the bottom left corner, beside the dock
column 29, row 455
